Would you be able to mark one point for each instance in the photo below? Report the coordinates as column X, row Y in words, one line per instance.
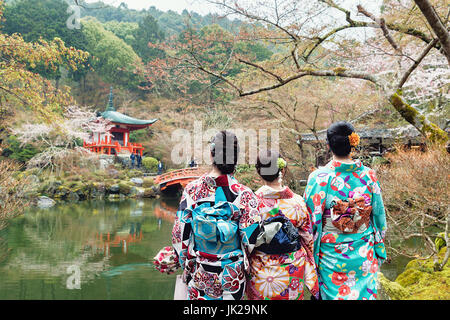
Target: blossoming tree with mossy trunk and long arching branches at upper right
column 395, row 50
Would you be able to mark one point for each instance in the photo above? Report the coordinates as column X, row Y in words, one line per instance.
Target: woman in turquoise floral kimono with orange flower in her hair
column 349, row 222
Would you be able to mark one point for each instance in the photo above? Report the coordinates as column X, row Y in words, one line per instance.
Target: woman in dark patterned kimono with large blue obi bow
column 216, row 228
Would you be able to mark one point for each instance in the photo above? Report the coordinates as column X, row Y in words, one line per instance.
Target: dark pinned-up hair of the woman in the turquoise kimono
column 337, row 137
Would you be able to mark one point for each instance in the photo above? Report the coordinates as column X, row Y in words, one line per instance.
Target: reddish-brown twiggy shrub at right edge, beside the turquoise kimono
column 416, row 197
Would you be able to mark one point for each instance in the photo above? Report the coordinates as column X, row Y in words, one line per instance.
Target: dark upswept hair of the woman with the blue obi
column 225, row 151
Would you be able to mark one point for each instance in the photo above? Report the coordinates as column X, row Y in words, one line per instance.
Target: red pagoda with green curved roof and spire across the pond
column 117, row 139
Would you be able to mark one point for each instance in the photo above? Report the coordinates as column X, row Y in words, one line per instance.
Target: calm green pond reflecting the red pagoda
column 108, row 245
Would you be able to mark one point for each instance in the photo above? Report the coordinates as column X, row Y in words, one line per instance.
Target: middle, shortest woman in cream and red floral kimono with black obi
column 282, row 276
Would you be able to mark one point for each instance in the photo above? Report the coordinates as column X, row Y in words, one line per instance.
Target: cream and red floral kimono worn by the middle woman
column 284, row 276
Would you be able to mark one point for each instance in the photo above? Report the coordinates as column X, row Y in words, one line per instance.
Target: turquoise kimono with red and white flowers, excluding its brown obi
column 347, row 262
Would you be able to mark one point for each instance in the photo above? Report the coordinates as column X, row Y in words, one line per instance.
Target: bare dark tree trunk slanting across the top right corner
column 436, row 24
